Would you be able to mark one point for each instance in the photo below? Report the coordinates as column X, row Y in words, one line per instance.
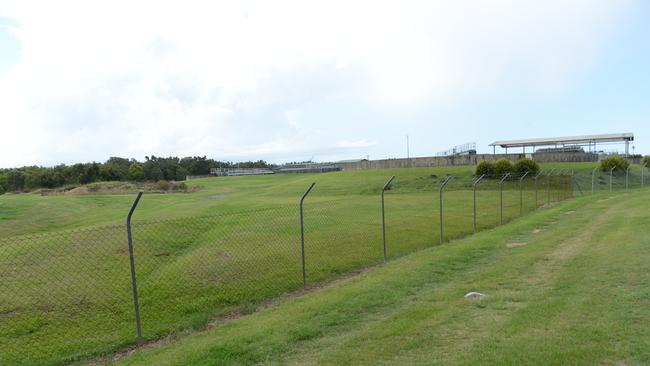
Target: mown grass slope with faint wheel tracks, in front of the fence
column 575, row 293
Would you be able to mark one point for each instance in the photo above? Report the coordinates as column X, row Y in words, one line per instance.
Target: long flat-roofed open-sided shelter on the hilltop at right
column 570, row 142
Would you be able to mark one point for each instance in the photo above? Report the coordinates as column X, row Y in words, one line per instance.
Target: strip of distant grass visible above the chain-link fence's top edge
column 31, row 213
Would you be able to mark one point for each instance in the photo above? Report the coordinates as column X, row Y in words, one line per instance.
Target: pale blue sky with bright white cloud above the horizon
column 282, row 81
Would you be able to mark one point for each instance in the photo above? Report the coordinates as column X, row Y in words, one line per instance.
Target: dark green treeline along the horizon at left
column 114, row 169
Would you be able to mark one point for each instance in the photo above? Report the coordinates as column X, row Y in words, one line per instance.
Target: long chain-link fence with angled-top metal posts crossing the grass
column 70, row 295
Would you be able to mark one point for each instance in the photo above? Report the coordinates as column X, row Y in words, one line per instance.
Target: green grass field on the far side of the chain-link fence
column 229, row 246
